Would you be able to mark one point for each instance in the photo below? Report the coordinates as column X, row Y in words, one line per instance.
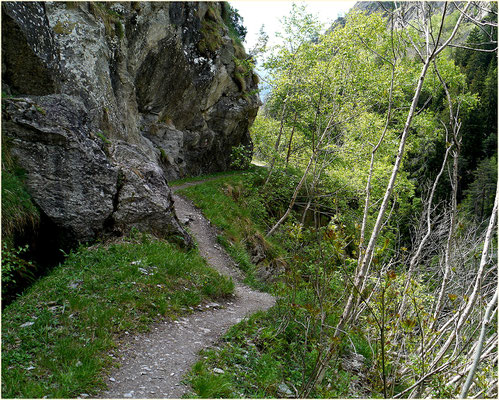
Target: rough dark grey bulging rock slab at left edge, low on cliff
column 69, row 175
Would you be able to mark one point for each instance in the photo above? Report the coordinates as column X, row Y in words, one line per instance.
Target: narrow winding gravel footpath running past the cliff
column 153, row 364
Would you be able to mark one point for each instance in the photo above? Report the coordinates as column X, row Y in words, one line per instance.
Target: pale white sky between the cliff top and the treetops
column 258, row 12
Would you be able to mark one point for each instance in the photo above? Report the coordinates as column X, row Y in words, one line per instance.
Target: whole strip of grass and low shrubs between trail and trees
column 272, row 353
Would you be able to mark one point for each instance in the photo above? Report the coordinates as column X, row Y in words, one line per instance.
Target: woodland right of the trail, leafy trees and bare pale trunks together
column 387, row 126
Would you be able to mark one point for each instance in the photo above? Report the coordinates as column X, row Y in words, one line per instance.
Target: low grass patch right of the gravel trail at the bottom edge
column 257, row 356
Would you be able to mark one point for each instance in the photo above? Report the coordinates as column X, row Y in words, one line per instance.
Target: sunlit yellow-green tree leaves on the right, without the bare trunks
column 341, row 83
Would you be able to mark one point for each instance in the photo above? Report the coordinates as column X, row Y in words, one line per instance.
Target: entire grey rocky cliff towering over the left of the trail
column 107, row 101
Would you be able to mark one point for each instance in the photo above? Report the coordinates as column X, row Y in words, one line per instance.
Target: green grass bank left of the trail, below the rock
column 85, row 307
